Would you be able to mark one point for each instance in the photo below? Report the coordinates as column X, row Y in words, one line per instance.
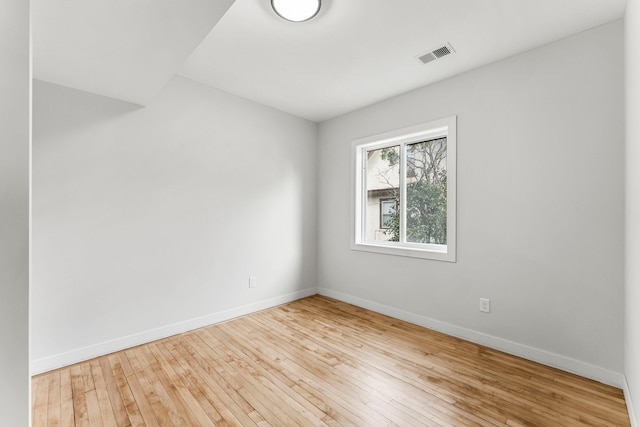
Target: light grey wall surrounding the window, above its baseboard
column 540, row 207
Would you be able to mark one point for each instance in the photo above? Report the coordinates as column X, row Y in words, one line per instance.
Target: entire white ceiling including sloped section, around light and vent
column 356, row 52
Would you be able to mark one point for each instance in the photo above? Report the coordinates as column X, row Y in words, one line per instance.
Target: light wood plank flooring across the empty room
column 318, row 361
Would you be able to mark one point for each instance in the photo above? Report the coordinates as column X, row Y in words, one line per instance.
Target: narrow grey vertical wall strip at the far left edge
column 14, row 213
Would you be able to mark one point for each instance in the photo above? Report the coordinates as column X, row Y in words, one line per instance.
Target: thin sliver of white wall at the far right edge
column 632, row 279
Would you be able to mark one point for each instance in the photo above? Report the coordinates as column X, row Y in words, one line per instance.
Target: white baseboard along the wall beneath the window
column 564, row 363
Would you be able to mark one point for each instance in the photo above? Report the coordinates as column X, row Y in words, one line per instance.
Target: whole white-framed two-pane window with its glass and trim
column 405, row 191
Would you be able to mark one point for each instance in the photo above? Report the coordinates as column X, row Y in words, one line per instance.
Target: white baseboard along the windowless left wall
column 56, row 361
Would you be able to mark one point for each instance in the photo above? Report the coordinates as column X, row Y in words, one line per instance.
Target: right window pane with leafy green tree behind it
column 427, row 192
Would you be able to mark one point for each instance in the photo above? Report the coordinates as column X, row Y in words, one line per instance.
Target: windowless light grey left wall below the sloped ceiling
column 147, row 218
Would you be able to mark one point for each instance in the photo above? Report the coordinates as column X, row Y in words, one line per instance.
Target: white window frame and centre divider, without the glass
column 418, row 133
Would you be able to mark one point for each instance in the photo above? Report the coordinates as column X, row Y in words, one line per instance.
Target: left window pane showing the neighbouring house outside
column 383, row 179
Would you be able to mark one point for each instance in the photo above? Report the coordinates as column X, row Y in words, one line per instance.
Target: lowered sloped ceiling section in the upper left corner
column 124, row 49
